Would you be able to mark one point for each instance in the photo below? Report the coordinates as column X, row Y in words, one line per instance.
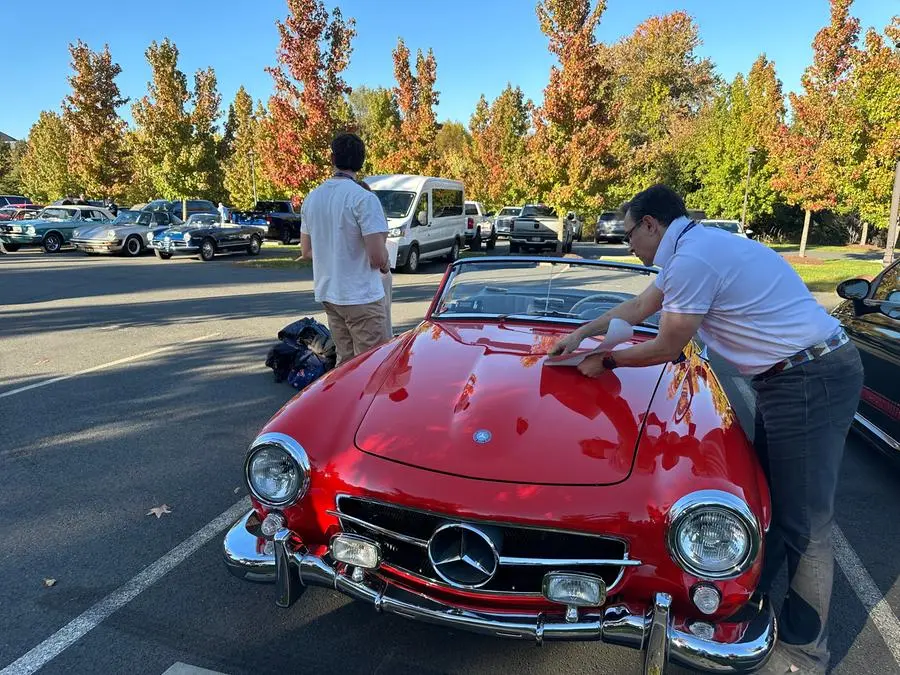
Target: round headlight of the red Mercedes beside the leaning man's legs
column 713, row 534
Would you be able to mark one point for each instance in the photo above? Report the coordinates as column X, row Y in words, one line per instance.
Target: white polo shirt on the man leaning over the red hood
column 757, row 311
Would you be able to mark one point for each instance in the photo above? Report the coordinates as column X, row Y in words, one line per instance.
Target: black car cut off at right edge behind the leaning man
column 871, row 317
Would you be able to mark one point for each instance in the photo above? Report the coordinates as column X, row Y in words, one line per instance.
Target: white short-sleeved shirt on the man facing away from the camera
column 337, row 215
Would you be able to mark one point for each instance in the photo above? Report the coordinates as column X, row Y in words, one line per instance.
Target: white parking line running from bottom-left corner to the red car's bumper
column 81, row 625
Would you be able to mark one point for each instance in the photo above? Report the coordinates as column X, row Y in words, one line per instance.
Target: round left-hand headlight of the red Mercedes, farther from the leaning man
column 277, row 470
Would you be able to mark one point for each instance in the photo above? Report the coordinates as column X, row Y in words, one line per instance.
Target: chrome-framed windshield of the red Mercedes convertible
column 544, row 291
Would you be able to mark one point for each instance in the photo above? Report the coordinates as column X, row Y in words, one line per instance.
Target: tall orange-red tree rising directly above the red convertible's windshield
column 570, row 153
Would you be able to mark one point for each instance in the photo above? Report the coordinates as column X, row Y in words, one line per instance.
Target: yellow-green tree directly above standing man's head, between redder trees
column 376, row 117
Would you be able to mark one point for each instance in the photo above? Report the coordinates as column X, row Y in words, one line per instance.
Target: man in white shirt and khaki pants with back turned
column 343, row 231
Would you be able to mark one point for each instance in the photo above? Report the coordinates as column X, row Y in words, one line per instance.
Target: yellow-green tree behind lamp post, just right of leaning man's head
column 737, row 128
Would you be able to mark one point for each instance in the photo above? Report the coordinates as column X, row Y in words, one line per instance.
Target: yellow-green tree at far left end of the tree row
column 45, row 164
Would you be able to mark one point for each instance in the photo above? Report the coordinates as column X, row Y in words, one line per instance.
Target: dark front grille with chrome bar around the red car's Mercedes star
column 526, row 553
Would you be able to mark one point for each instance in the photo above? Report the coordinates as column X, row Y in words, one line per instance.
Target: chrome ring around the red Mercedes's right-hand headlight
column 713, row 500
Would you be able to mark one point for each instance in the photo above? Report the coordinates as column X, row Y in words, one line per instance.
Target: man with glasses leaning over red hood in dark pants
column 752, row 308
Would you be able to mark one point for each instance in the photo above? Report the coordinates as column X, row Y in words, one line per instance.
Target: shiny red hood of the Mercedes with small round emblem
column 476, row 400
